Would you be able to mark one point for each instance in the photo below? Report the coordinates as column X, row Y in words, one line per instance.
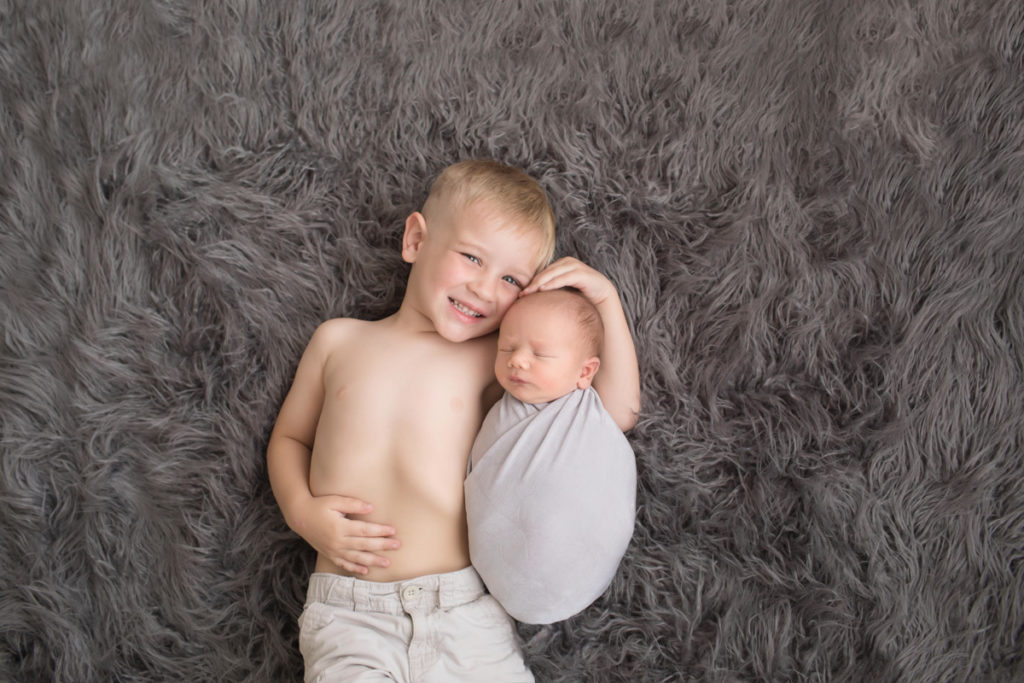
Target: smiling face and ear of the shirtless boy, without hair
column 471, row 264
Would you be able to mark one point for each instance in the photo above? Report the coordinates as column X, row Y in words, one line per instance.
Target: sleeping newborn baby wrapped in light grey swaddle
column 551, row 492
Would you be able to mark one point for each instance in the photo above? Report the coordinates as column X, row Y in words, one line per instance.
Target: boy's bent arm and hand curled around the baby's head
column 618, row 382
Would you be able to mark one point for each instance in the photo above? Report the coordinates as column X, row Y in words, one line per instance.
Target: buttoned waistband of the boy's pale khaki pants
column 440, row 590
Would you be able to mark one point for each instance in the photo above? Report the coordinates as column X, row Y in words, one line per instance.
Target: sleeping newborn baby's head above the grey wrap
column 548, row 346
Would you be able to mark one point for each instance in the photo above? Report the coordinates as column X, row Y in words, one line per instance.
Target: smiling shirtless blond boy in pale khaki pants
column 390, row 409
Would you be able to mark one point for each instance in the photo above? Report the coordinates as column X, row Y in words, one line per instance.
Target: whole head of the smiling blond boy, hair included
column 485, row 232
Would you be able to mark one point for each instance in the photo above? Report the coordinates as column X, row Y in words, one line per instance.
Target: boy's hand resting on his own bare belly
column 323, row 523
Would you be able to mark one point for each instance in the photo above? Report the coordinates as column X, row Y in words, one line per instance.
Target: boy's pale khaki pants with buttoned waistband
column 438, row 628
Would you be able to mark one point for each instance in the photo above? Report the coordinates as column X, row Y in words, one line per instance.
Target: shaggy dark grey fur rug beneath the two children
column 814, row 211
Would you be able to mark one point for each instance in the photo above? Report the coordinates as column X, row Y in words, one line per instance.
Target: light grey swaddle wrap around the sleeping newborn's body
column 551, row 501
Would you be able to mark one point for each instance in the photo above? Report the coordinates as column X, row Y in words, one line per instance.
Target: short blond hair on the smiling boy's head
column 511, row 189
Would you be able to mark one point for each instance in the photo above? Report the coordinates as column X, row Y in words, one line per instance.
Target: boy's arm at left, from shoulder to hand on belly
column 321, row 521
